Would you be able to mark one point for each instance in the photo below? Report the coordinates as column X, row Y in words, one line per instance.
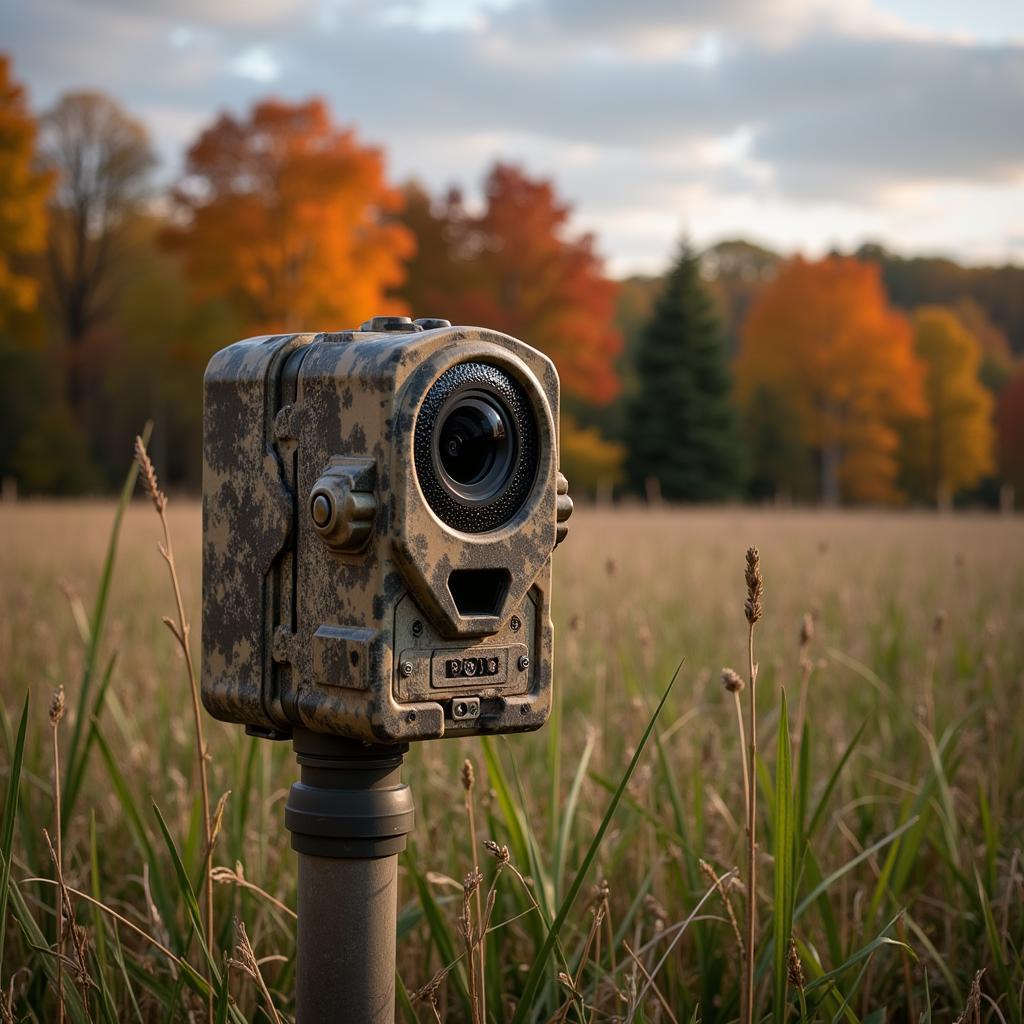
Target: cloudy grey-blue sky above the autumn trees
column 800, row 124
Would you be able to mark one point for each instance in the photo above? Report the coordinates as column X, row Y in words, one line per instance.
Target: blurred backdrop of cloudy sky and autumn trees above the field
column 777, row 251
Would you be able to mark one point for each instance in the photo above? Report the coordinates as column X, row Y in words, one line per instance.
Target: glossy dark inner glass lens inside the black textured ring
column 477, row 446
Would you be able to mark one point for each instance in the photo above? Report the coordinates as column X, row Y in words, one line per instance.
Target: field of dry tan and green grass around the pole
column 894, row 856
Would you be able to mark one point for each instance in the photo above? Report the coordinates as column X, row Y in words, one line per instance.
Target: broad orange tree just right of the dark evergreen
column 823, row 342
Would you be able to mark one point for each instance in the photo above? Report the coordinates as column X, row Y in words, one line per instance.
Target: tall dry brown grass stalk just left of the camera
column 181, row 630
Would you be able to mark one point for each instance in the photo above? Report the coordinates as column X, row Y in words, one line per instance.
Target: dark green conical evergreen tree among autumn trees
column 682, row 426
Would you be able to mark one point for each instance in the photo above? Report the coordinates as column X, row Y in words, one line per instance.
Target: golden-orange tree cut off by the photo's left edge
column 23, row 198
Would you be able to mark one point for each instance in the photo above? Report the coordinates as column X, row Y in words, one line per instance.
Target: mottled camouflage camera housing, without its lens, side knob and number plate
column 295, row 633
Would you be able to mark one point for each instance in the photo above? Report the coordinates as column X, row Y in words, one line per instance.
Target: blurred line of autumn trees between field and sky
column 859, row 378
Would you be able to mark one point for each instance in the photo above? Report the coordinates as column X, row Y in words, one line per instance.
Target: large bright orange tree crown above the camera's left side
column 290, row 220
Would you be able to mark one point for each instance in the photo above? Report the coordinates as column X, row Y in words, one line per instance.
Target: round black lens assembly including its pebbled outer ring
column 476, row 448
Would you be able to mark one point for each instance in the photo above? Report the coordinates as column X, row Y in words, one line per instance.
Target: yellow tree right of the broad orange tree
column 951, row 447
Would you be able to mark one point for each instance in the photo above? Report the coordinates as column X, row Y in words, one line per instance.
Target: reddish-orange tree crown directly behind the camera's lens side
column 516, row 268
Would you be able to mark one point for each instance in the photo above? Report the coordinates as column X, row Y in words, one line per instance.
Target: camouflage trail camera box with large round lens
column 379, row 511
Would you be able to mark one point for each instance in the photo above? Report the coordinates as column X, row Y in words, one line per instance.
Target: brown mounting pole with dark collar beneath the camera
column 349, row 816
